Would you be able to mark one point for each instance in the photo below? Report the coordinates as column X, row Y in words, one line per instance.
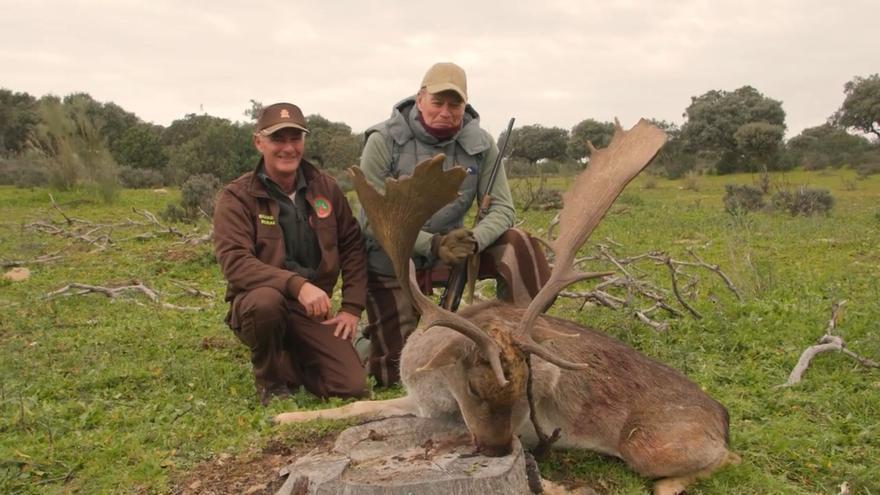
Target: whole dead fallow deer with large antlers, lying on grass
column 506, row 370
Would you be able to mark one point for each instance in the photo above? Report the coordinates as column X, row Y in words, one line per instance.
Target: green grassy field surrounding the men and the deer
column 123, row 395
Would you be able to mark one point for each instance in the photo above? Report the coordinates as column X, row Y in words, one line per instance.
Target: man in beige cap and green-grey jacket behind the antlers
column 439, row 119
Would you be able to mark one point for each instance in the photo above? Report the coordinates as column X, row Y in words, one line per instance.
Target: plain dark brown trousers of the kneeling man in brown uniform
column 289, row 348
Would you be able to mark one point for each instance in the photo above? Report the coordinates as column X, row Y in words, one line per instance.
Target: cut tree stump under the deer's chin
column 404, row 456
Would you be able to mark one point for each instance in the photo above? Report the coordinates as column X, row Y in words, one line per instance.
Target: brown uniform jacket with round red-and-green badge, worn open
column 249, row 243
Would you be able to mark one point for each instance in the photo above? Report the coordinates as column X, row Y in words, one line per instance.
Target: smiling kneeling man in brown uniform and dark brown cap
column 282, row 234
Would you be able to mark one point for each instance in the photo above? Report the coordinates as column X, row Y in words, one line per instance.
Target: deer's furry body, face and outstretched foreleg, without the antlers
column 624, row 404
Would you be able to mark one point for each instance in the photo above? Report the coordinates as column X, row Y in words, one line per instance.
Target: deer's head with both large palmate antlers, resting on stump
column 494, row 377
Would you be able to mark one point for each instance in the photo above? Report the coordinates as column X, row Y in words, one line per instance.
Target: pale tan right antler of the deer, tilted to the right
column 586, row 202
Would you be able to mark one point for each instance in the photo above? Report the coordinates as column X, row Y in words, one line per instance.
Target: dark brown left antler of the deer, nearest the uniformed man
column 396, row 219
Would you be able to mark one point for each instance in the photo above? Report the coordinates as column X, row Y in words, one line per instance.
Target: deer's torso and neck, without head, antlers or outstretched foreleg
column 624, row 404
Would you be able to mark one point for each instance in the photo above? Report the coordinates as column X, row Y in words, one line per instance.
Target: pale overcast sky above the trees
column 550, row 62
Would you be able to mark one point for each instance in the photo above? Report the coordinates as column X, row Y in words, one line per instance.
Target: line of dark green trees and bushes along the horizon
column 75, row 139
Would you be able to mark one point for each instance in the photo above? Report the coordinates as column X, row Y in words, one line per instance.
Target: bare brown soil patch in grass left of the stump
column 252, row 473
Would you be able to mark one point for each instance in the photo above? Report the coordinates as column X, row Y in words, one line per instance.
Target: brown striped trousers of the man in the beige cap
column 515, row 260
